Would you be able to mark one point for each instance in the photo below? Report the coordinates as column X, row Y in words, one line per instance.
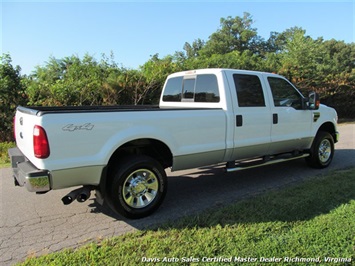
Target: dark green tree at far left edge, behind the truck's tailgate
column 11, row 95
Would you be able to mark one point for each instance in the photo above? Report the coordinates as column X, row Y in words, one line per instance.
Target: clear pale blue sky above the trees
column 32, row 31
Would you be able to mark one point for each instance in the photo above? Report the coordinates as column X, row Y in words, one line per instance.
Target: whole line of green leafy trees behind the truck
column 324, row 66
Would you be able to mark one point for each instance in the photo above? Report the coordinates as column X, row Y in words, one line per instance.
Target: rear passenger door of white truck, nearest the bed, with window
column 253, row 118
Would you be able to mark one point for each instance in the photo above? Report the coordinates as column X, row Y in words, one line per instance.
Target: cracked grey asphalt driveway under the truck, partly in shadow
column 33, row 224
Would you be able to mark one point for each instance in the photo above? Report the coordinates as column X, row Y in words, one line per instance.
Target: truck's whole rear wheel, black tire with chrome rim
column 137, row 186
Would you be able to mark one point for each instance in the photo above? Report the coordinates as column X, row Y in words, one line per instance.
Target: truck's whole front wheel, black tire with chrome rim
column 322, row 151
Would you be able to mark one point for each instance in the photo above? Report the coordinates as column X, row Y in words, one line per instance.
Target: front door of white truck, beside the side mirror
column 291, row 128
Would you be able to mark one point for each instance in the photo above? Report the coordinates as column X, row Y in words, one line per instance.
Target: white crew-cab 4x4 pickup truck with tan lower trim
column 208, row 116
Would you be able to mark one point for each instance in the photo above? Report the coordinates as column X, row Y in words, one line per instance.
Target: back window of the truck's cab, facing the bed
column 200, row 88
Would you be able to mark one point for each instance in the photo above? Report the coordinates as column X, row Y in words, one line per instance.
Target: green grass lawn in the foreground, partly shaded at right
column 304, row 224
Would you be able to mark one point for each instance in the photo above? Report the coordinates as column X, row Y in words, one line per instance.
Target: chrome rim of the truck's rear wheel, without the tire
column 140, row 188
